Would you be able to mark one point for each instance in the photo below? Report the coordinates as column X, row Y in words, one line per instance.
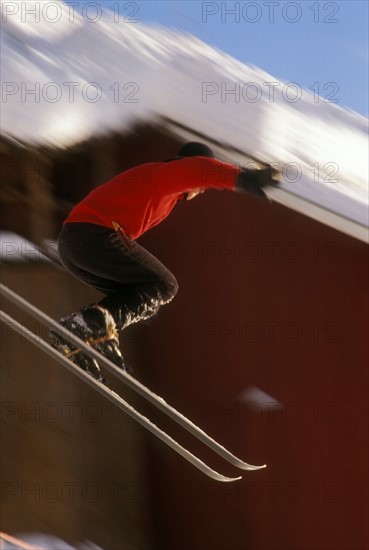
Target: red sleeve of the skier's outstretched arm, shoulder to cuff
column 187, row 174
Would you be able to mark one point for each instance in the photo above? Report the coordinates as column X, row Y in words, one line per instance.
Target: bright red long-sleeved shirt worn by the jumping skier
column 142, row 197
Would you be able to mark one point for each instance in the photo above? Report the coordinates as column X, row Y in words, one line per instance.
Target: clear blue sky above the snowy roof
column 317, row 44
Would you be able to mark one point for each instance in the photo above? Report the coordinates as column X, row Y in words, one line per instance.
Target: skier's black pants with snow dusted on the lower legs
column 134, row 282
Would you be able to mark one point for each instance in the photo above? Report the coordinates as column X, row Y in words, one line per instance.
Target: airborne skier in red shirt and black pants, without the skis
column 98, row 244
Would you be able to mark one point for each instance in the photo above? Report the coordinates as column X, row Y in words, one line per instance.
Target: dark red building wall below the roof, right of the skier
column 274, row 300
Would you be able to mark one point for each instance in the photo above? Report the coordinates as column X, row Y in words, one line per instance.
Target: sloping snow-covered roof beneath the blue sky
column 72, row 79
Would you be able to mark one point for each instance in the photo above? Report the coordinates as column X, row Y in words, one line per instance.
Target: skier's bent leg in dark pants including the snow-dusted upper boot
column 135, row 283
